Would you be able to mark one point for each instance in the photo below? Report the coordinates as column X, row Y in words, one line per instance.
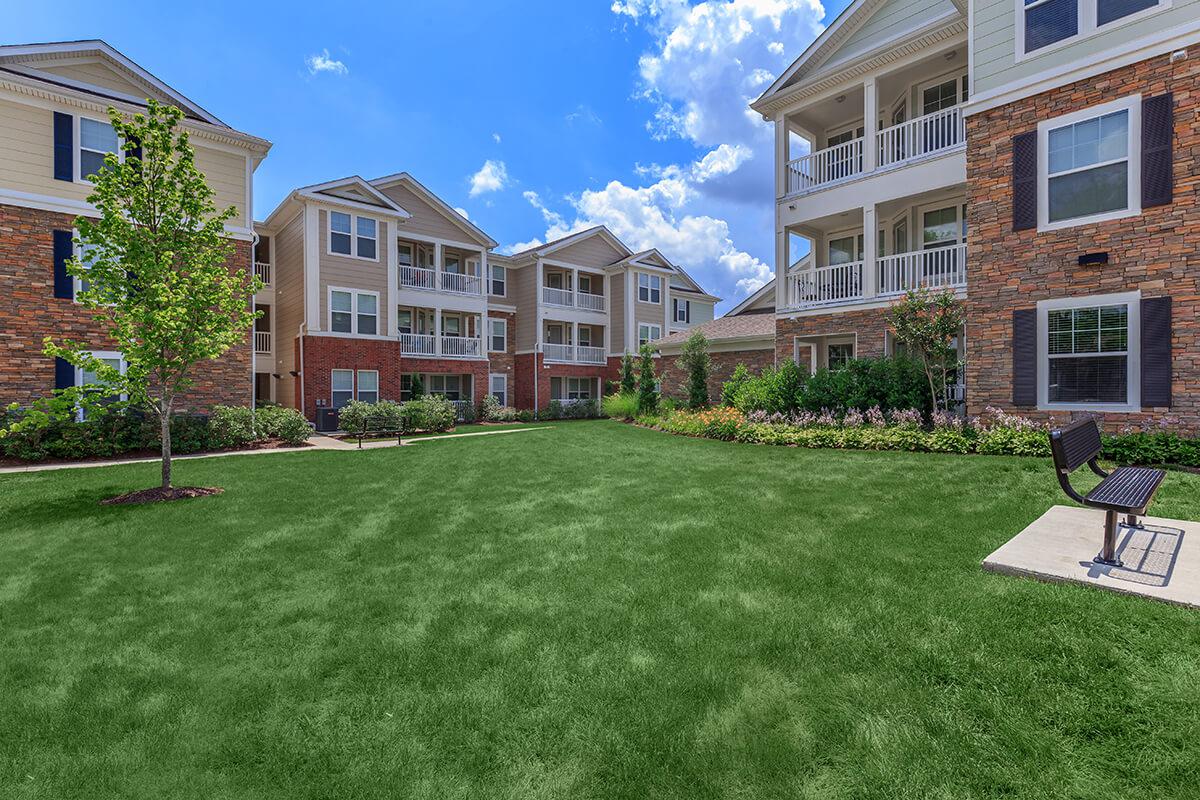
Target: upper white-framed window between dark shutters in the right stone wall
column 1085, row 170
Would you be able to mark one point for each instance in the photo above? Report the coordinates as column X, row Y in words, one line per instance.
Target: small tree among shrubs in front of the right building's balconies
column 927, row 324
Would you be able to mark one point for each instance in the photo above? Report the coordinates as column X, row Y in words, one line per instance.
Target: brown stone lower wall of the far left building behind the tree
column 29, row 311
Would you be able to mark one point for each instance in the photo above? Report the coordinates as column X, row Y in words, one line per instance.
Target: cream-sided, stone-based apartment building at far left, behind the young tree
column 55, row 134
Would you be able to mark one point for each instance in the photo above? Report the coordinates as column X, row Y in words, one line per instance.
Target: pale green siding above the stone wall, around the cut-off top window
column 994, row 45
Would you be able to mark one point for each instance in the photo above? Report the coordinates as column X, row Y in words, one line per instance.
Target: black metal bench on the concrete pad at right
column 1126, row 490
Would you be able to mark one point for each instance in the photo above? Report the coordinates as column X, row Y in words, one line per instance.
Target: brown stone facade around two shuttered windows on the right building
column 1155, row 252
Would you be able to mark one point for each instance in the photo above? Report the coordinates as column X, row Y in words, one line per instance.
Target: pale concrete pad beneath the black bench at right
column 1162, row 561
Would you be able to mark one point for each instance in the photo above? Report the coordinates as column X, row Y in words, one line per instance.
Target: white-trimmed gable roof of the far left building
column 23, row 59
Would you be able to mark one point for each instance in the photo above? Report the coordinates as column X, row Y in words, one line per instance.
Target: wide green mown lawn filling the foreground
column 595, row 611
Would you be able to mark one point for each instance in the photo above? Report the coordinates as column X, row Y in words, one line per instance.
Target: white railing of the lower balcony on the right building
column 889, row 276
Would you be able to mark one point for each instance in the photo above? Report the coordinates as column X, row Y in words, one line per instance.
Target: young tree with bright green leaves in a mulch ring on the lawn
column 157, row 273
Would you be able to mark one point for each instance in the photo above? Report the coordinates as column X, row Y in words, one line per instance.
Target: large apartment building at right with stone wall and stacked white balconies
column 1019, row 155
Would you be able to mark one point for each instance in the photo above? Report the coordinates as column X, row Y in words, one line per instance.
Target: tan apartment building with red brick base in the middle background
column 371, row 284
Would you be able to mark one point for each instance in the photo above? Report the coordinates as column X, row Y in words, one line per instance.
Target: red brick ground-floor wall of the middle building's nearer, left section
column 323, row 354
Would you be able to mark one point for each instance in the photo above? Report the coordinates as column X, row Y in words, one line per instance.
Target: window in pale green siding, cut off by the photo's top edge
column 1045, row 23
